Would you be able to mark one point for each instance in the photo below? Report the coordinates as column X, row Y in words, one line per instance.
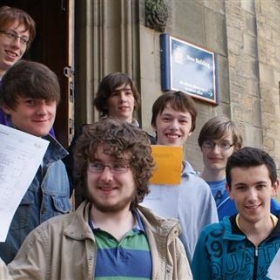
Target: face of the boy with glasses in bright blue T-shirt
column 215, row 158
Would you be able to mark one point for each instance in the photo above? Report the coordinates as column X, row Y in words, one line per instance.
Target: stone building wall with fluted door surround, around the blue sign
column 245, row 36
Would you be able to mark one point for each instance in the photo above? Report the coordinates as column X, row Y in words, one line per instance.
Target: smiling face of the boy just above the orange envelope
column 173, row 127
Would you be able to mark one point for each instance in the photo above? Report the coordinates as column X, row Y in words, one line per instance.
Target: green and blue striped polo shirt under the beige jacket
column 129, row 258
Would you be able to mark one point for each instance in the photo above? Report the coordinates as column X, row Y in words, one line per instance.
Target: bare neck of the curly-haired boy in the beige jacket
column 116, row 223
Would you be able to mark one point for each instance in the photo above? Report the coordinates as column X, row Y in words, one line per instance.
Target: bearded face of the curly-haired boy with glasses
column 109, row 191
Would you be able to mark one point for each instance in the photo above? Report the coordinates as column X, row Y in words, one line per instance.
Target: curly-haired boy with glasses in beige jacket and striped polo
column 109, row 236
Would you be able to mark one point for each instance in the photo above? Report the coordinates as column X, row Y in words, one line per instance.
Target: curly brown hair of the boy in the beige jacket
column 119, row 139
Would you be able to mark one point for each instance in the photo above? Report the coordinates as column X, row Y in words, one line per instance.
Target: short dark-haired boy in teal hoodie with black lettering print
column 242, row 246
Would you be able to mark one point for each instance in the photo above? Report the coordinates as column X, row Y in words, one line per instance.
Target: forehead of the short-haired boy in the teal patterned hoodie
column 249, row 175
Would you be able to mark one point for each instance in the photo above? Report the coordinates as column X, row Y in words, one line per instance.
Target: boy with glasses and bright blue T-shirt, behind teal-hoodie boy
column 218, row 139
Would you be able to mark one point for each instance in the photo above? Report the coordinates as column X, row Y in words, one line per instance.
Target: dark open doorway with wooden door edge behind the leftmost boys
column 53, row 46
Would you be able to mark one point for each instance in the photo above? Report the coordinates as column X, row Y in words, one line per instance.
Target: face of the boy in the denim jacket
column 34, row 116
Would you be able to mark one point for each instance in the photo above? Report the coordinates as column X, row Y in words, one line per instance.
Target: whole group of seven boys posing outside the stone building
column 112, row 163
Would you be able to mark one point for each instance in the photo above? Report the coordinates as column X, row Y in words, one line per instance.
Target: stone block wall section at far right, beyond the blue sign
column 254, row 66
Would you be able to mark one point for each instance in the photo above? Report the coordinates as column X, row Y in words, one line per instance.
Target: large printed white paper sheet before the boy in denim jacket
column 20, row 157
